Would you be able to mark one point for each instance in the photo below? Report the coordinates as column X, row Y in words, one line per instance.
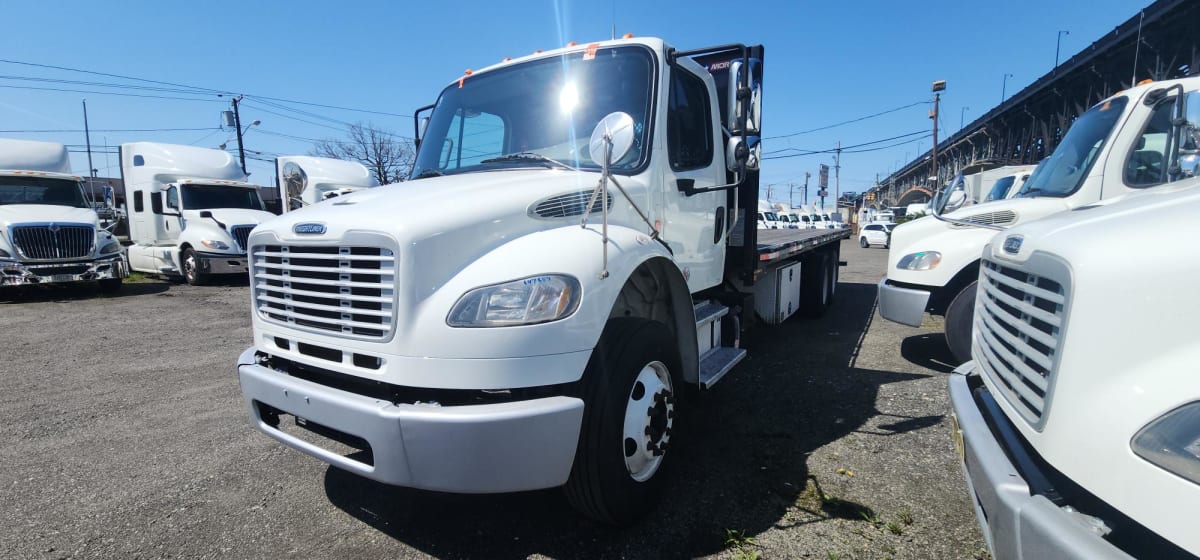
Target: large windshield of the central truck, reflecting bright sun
column 539, row 110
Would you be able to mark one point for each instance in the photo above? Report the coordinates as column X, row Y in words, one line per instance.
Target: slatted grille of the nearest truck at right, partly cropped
column 1018, row 326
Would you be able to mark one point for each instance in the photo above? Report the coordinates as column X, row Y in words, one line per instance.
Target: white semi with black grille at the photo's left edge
column 50, row 232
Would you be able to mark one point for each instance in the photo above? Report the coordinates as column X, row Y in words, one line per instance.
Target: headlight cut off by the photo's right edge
column 1173, row 442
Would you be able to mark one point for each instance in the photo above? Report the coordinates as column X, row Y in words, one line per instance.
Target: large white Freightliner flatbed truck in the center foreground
column 554, row 332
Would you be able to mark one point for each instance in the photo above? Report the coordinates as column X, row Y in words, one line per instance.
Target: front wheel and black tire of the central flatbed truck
column 631, row 394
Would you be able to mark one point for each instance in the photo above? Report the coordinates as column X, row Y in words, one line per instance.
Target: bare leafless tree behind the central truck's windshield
column 389, row 156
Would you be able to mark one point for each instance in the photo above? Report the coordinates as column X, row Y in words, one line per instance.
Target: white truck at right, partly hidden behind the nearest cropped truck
column 1125, row 144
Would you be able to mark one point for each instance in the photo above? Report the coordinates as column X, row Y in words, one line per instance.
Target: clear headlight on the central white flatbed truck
column 526, row 302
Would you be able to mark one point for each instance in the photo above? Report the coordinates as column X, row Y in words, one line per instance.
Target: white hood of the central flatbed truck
column 447, row 222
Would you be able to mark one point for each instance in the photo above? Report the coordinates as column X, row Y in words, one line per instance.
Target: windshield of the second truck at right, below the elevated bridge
column 1065, row 171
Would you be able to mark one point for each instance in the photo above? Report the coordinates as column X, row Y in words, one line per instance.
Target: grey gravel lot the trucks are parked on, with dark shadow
column 125, row 437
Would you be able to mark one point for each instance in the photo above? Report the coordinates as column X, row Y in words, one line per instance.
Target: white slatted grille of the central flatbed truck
column 344, row 290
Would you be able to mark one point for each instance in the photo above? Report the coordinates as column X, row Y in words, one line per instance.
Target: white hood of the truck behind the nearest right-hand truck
column 961, row 245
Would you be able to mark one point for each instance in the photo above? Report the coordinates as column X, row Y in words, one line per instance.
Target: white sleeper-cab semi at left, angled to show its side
column 190, row 210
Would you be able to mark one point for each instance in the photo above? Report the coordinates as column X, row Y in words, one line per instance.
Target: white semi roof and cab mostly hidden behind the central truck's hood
column 307, row 180
